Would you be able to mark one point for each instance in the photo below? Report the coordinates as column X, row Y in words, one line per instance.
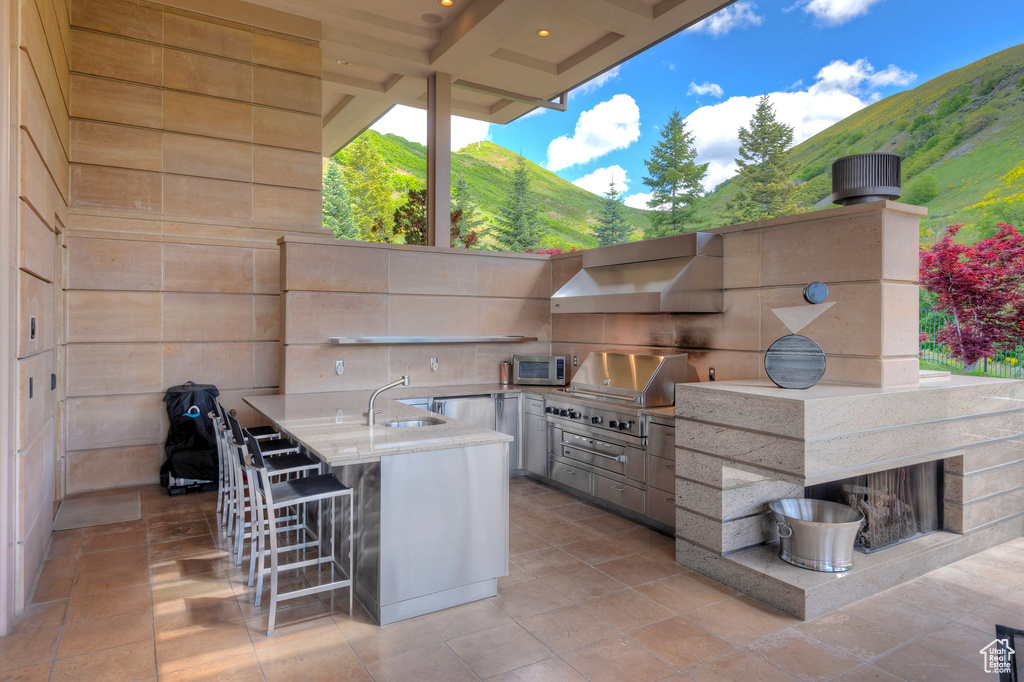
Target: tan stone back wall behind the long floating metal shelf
column 362, row 289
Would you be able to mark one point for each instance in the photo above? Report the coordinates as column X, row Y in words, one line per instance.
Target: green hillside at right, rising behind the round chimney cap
column 962, row 134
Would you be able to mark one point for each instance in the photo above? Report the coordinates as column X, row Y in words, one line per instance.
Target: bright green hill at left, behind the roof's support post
column 569, row 214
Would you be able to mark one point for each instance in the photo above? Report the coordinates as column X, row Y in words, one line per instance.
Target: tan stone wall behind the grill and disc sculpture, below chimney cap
column 867, row 254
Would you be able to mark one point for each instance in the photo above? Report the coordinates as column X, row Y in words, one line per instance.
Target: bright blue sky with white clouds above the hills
column 819, row 60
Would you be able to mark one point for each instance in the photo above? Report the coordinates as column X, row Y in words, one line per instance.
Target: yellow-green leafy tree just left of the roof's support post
column 370, row 188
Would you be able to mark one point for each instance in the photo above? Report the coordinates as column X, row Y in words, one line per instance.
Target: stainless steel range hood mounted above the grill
column 680, row 274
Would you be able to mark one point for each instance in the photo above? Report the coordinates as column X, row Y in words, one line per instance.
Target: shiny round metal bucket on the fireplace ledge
column 816, row 534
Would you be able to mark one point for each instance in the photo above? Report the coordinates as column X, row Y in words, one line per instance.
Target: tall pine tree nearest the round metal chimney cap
column 764, row 189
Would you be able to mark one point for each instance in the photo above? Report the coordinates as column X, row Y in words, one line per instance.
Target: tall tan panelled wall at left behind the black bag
column 195, row 145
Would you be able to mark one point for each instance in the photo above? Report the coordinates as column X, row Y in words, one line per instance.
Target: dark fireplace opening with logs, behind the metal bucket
column 899, row 504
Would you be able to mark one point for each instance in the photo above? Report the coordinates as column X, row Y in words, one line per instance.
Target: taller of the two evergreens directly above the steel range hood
column 676, row 181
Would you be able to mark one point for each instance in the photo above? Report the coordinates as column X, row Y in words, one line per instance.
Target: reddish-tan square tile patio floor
column 589, row 596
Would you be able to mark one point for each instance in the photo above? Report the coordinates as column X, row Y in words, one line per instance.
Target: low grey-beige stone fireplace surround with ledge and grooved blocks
column 742, row 445
